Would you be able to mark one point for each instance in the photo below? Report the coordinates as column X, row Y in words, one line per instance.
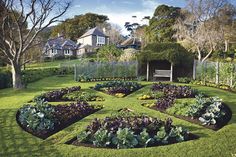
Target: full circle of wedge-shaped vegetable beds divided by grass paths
column 124, row 128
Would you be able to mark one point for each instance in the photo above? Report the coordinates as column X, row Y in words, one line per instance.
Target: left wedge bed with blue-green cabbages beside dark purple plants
column 43, row 120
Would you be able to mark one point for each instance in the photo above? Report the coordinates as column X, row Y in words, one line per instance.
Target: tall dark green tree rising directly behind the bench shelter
column 160, row 25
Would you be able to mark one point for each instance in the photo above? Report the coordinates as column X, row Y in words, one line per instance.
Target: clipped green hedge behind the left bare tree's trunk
column 32, row 75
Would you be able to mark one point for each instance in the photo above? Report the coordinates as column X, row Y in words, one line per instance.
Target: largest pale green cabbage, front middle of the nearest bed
column 124, row 138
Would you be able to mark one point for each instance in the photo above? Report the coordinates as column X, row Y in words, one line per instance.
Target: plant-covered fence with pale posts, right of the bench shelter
column 215, row 72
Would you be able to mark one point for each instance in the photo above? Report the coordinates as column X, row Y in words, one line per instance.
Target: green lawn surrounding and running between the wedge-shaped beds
column 15, row 142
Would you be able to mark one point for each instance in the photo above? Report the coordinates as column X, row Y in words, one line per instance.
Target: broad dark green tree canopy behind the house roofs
column 75, row 27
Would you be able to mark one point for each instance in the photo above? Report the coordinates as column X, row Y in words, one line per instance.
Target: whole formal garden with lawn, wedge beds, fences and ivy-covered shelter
column 108, row 108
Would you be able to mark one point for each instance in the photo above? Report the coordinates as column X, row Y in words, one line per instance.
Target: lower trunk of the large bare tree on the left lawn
column 16, row 76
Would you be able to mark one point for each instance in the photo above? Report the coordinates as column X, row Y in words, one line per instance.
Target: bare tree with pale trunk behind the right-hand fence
column 199, row 26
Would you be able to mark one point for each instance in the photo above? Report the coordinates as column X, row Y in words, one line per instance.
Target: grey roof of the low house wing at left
column 60, row 43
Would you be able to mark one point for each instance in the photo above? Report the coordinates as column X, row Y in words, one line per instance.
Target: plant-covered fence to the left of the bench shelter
column 99, row 70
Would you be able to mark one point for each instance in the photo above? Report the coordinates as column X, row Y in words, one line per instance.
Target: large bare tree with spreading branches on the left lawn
column 22, row 21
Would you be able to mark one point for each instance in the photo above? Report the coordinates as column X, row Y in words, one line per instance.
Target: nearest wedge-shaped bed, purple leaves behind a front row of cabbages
column 129, row 130
